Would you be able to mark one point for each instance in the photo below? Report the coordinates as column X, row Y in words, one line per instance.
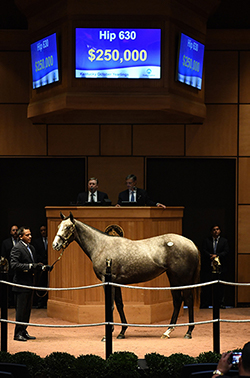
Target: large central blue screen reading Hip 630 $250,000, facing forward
column 118, row 53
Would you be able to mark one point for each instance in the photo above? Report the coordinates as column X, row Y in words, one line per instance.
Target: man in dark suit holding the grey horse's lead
column 23, row 261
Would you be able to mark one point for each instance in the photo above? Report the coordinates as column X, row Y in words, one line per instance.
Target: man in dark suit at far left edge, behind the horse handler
column 7, row 245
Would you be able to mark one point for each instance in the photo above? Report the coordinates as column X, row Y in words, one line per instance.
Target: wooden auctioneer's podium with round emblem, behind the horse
column 74, row 269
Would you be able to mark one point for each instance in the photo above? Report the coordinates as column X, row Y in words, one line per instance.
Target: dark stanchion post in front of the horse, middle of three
column 108, row 309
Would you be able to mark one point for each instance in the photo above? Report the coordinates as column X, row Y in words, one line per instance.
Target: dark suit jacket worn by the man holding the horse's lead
column 19, row 261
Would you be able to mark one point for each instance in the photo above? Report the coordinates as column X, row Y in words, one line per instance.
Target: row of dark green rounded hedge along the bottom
column 119, row 364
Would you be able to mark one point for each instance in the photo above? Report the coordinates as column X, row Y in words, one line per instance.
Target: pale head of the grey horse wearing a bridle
column 65, row 234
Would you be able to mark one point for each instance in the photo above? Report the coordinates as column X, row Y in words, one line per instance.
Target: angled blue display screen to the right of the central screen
column 190, row 61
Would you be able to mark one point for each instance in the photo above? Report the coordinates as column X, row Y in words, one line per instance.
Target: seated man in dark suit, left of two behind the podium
column 92, row 195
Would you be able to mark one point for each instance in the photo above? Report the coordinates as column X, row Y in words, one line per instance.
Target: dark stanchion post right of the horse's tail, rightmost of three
column 216, row 306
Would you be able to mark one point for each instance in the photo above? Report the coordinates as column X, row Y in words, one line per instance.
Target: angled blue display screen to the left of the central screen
column 44, row 61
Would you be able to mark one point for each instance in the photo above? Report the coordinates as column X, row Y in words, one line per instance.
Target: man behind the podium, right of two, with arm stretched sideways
column 134, row 194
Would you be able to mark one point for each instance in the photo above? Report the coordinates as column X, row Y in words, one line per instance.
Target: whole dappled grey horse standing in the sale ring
column 135, row 261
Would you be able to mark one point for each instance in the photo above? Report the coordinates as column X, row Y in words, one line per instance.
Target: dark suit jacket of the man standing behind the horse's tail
column 207, row 249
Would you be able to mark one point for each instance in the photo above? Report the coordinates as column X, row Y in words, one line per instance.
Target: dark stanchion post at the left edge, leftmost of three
column 4, row 303
